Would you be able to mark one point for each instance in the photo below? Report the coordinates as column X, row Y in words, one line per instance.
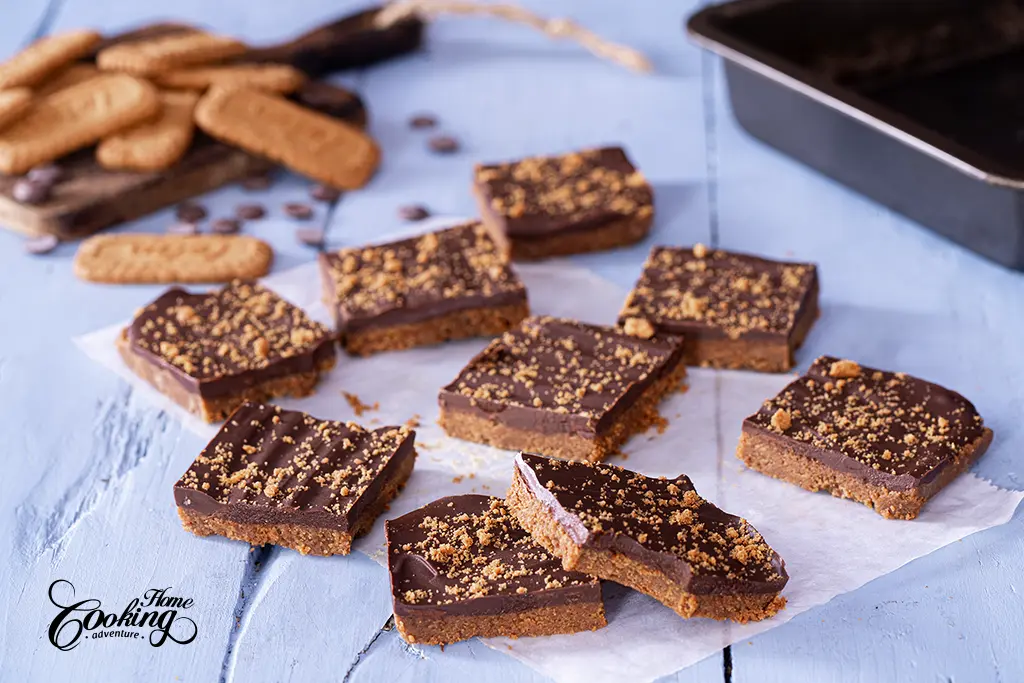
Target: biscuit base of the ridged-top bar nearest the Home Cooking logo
column 307, row 540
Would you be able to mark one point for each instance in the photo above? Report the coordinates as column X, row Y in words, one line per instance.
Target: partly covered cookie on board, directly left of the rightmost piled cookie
column 157, row 145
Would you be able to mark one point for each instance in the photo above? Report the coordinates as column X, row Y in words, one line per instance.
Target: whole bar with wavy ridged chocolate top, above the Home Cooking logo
column 285, row 478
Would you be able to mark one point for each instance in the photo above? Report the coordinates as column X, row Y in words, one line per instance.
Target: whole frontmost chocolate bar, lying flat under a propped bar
column 462, row 560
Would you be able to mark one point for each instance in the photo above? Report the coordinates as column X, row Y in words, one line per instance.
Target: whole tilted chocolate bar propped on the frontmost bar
column 655, row 535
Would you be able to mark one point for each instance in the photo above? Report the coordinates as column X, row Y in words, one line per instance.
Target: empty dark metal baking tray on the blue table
column 916, row 104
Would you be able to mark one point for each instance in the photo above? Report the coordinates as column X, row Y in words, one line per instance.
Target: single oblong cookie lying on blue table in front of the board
column 142, row 260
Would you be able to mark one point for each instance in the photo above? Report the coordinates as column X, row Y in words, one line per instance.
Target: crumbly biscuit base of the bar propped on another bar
column 537, row 519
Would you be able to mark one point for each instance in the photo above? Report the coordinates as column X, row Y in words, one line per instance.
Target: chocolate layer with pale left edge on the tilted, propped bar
column 662, row 524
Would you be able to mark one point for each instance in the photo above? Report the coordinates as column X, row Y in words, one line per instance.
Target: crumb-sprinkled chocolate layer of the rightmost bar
column 888, row 429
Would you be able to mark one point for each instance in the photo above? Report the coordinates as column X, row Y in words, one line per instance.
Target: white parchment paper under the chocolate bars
column 831, row 546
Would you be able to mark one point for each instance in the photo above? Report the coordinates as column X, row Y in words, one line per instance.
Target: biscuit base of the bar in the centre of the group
column 637, row 419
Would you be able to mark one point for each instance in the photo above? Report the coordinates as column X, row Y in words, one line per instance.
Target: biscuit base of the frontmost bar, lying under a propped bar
column 549, row 621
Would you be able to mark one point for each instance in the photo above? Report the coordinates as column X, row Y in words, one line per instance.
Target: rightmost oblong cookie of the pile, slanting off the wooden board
column 307, row 142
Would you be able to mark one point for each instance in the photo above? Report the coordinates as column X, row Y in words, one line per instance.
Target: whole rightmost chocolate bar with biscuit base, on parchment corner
column 887, row 440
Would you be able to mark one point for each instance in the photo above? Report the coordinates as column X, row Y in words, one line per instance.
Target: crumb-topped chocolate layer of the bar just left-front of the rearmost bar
column 419, row 279
